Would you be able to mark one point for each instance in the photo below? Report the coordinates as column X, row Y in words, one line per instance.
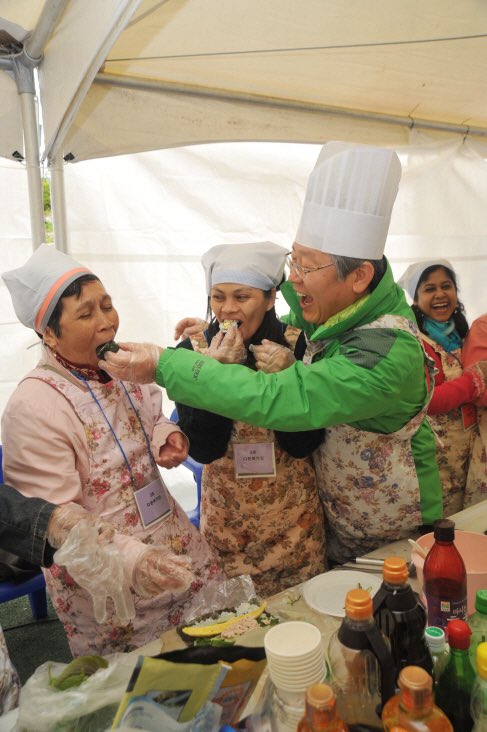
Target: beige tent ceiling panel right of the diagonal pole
column 267, row 63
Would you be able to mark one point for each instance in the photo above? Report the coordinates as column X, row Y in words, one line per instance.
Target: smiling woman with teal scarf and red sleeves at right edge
column 433, row 287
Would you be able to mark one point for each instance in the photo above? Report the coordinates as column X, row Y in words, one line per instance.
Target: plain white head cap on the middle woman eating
column 259, row 264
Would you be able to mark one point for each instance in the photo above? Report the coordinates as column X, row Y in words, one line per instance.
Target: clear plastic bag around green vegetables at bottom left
column 89, row 707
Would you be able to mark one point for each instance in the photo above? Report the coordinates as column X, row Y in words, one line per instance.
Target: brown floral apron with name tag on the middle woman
column 270, row 528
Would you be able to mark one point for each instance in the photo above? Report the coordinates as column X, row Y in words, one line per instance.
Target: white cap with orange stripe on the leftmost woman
column 38, row 285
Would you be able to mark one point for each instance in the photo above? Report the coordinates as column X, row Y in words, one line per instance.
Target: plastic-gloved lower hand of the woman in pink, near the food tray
column 158, row 569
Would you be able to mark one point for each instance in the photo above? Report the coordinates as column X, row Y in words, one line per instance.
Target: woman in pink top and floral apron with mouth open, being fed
column 74, row 435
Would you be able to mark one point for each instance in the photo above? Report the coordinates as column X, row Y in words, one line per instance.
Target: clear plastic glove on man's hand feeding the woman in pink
column 134, row 362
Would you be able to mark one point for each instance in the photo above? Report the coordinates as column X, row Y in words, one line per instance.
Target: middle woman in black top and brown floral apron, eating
column 260, row 508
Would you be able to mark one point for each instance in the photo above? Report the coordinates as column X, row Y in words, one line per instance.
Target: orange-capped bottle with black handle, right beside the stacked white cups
column 363, row 672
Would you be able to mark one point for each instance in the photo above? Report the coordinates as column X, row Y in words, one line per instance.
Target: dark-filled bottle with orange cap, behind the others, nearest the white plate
column 401, row 617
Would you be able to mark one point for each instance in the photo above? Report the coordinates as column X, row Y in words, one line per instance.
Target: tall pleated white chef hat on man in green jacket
column 349, row 199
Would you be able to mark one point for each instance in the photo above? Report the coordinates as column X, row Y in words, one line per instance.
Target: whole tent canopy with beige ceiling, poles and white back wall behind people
column 120, row 77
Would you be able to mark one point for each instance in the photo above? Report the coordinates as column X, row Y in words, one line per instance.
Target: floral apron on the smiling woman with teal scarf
column 453, row 443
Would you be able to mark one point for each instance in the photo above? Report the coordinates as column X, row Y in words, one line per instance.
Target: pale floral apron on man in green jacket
column 357, row 471
